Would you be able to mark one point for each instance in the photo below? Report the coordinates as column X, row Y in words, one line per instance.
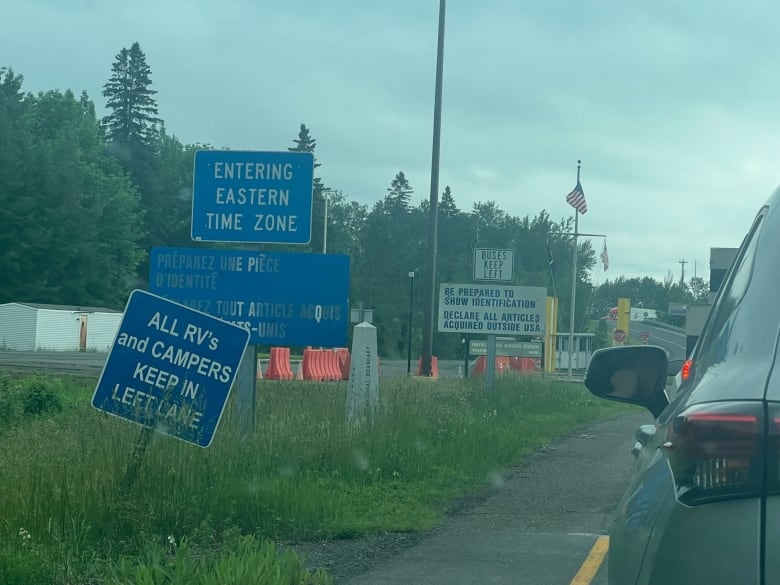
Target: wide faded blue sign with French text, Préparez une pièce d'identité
column 283, row 299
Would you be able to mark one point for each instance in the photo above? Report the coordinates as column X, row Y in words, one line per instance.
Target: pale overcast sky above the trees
column 672, row 106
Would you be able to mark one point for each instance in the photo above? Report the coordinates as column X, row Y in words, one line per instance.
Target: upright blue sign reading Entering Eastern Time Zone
column 252, row 197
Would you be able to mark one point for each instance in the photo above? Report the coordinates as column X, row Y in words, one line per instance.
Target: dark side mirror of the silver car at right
column 635, row 374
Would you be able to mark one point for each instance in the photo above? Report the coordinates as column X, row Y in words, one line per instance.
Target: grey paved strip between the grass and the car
column 536, row 526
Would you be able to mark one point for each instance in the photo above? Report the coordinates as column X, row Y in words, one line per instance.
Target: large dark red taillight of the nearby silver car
column 715, row 451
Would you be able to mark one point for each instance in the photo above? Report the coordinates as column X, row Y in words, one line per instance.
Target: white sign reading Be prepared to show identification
column 492, row 309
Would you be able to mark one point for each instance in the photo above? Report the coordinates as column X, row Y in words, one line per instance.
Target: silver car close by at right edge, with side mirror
column 704, row 504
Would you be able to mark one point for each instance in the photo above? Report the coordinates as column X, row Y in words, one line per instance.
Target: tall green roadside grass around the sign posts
column 304, row 474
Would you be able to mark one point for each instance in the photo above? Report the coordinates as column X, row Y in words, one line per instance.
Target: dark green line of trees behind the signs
column 83, row 200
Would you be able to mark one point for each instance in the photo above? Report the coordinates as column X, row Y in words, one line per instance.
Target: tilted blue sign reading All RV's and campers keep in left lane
column 170, row 368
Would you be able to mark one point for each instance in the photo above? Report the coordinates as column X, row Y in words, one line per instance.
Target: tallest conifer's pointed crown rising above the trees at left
column 130, row 98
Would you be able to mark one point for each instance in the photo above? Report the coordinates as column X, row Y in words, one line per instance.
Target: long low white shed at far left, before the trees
column 39, row 327
